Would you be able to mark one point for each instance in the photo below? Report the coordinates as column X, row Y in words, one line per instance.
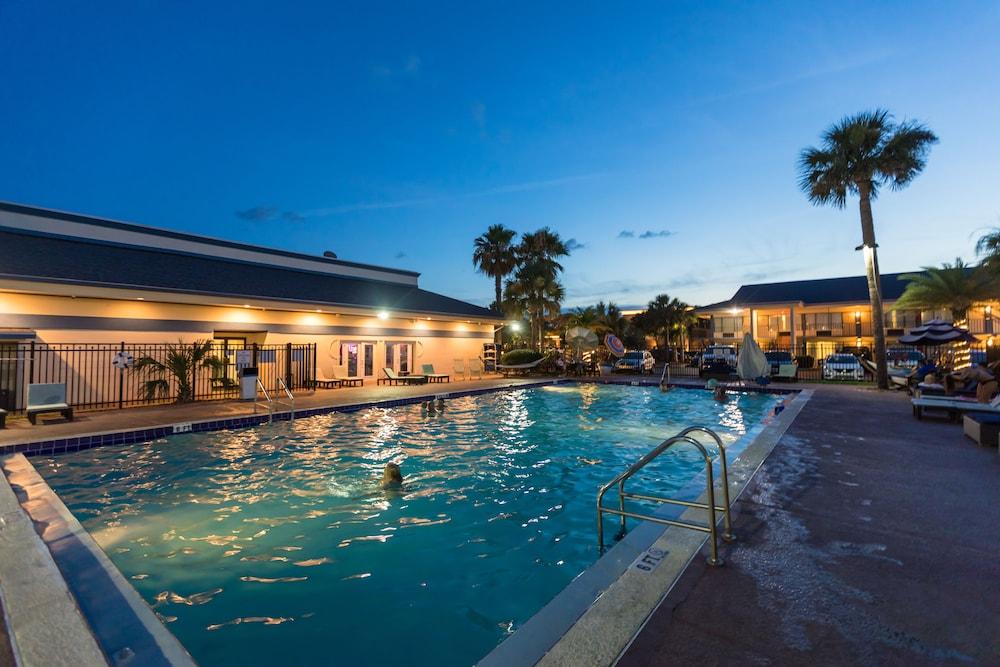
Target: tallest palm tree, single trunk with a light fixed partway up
column 859, row 155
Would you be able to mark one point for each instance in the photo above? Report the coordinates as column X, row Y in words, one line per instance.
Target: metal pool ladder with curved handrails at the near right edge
column 684, row 437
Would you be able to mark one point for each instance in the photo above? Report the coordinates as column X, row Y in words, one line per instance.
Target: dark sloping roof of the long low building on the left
column 36, row 256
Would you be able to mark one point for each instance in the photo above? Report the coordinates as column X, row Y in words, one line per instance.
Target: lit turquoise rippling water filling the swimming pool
column 276, row 545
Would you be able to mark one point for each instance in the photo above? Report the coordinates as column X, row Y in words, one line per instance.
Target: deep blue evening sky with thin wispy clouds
column 661, row 138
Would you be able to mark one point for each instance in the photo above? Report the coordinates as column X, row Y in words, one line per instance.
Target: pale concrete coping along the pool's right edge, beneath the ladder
column 608, row 603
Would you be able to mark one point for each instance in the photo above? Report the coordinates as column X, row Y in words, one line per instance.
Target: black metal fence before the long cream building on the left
column 94, row 382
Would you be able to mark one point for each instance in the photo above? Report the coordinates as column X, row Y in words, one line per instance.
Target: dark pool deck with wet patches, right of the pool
column 867, row 537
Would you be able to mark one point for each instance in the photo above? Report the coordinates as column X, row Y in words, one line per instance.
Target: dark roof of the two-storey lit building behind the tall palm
column 853, row 289
